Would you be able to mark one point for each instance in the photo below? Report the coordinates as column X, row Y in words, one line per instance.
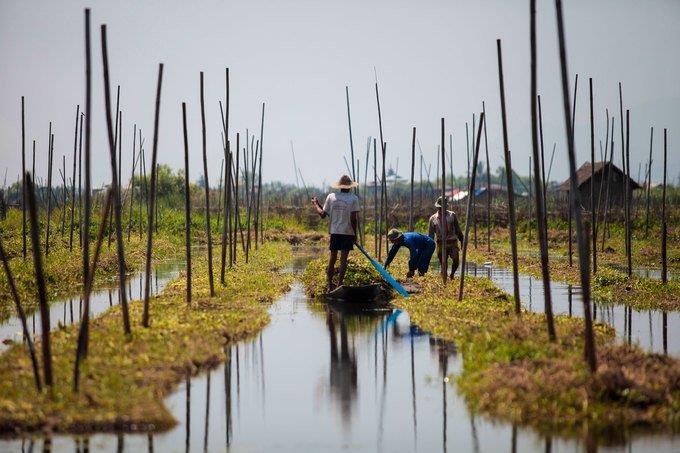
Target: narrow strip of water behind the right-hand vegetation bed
column 652, row 330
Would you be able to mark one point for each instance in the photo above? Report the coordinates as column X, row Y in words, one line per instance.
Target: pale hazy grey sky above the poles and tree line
column 433, row 59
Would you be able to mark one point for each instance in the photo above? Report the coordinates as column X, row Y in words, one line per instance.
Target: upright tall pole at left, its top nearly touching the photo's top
column 88, row 104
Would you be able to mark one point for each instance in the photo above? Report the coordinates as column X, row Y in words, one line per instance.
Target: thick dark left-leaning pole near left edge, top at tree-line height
column 40, row 283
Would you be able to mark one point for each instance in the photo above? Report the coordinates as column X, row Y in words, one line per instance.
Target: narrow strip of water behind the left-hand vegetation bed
column 69, row 310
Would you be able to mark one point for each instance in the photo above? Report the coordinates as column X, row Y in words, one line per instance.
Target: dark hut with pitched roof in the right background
column 601, row 177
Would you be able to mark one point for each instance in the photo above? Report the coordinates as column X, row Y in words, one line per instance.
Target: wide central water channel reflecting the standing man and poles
column 328, row 378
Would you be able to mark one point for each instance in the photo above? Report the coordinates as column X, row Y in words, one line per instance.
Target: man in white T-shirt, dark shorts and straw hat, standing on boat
column 342, row 207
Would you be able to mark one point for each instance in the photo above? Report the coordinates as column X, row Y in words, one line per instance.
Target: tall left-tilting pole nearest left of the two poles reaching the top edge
column 508, row 174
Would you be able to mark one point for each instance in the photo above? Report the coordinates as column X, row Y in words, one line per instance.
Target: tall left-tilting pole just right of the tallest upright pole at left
column 116, row 191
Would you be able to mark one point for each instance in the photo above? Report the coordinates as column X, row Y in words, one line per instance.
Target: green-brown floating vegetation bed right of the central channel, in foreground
column 513, row 372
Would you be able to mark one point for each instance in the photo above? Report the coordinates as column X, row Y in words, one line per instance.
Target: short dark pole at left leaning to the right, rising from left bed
column 83, row 331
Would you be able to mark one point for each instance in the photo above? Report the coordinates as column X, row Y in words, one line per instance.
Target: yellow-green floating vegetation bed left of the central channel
column 123, row 381
